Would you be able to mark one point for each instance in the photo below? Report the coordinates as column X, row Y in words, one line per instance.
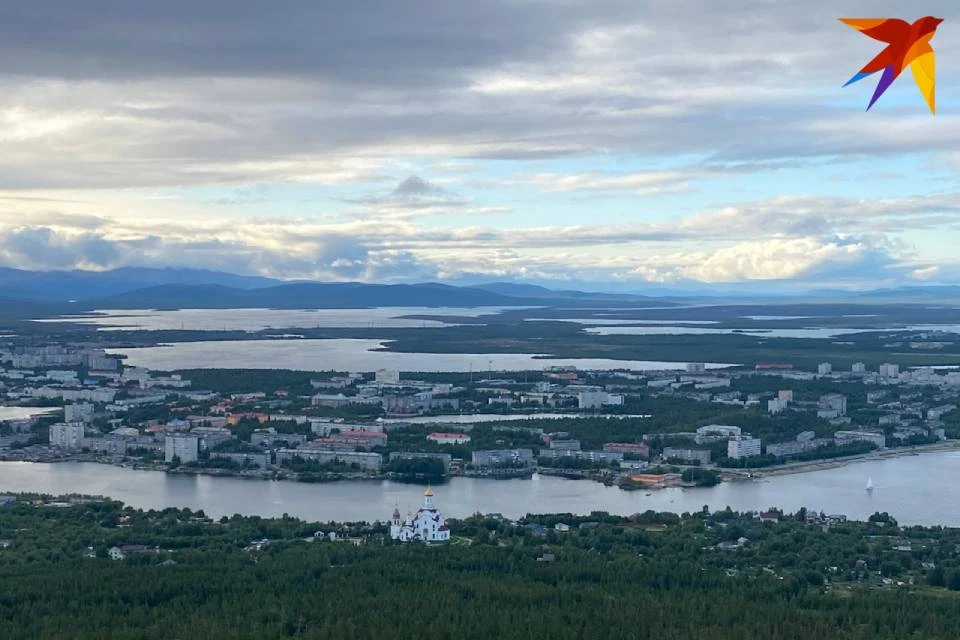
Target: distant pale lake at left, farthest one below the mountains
column 259, row 319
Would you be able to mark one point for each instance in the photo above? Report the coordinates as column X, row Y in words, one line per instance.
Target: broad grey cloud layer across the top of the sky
column 218, row 92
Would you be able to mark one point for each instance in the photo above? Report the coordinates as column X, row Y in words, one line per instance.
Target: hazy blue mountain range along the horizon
column 138, row 288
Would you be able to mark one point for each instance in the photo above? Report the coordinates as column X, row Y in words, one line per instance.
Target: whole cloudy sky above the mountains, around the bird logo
column 618, row 144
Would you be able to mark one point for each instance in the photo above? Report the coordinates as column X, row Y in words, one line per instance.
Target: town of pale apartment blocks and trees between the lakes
column 635, row 429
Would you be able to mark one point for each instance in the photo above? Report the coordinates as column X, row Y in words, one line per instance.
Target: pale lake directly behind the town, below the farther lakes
column 348, row 354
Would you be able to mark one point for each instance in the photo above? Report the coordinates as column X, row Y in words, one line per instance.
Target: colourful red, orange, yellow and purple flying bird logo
column 907, row 44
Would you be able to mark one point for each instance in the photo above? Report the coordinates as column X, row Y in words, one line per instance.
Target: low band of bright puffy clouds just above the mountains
column 708, row 247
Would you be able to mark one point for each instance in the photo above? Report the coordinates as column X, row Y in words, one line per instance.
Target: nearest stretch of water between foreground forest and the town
column 919, row 489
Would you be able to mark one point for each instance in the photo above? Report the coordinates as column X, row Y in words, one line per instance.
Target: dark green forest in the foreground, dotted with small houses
column 704, row 575
